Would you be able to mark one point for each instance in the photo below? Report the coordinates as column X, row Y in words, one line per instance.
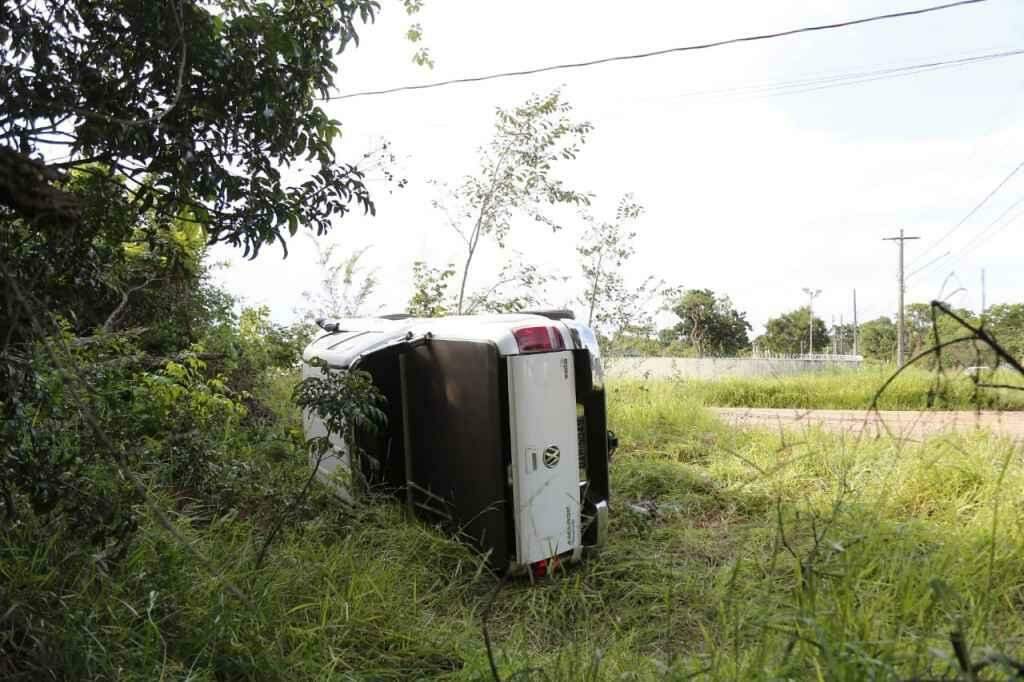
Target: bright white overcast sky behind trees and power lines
column 755, row 197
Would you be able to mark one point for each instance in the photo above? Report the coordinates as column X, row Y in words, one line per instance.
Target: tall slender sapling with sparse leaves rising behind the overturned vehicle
column 517, row 177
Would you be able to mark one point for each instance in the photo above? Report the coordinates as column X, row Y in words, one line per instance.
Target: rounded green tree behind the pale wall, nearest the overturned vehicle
column 710, row 324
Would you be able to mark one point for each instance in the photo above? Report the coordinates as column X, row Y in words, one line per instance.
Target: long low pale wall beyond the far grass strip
column 716, row 368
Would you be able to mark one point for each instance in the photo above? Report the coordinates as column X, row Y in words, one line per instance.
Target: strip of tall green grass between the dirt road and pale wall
column 915, row 390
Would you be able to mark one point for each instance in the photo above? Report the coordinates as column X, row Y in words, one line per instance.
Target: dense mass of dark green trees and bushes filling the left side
column 134, row 134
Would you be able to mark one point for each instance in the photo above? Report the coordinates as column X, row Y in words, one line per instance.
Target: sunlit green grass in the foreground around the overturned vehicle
column 734, row 556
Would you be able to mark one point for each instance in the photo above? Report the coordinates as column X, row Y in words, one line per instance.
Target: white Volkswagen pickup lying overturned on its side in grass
column 496, row 428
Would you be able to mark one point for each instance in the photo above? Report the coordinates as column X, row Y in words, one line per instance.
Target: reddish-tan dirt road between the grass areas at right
column 905, row 424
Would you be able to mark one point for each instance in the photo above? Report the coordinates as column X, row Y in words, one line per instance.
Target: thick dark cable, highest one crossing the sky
column 645, row 56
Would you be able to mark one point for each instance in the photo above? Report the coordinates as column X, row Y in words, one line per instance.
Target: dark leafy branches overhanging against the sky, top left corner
column 205, row 103
